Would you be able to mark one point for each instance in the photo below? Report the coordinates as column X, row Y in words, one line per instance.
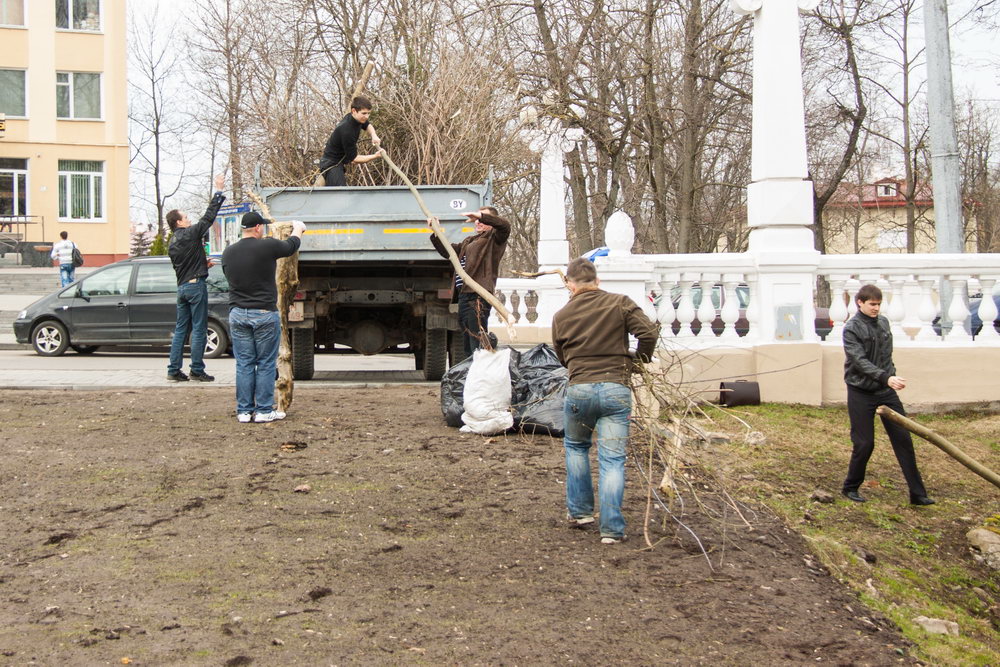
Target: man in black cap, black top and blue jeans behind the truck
column 254, row 321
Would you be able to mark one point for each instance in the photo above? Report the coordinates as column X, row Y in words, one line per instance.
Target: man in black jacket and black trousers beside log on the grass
column 872, row 381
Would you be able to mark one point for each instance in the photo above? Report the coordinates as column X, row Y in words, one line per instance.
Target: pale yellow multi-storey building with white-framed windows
column 64, row 153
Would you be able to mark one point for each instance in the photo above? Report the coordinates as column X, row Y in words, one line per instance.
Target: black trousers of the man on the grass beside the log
column 861, row 407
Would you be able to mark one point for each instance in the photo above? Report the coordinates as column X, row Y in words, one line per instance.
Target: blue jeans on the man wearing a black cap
column 256, row 336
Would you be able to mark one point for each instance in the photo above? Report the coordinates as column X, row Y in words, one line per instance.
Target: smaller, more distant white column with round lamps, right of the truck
column 551, row 140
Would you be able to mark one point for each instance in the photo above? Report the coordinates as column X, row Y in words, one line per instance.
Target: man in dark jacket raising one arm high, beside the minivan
column 187, row 254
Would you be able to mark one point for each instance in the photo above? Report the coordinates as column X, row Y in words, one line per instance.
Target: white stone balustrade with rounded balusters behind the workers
column 909, row 284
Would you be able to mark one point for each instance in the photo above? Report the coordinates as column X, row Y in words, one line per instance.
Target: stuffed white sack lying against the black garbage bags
column 486, row 396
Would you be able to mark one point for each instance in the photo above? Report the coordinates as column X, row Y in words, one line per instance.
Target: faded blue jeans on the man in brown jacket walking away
column 602, row 408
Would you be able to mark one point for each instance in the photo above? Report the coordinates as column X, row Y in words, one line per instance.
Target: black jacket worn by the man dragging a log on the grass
column 868, row 352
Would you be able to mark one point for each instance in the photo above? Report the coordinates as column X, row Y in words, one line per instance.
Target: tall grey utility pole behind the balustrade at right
column 944, row 144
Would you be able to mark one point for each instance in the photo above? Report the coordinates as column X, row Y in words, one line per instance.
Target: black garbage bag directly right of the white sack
column 540, row 392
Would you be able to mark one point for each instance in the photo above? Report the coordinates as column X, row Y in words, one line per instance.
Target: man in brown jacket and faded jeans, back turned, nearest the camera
column 590, row 335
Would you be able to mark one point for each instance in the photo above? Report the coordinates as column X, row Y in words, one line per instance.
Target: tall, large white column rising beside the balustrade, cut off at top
column 779, row 200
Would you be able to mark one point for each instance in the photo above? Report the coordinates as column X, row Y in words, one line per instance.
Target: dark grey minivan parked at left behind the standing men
column 131, row 302
